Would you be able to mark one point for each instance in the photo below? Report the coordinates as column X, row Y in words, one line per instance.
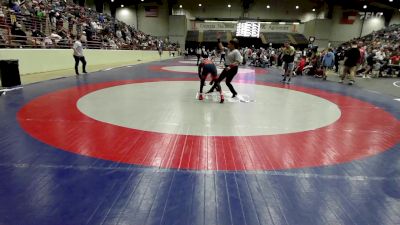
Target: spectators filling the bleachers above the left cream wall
column 55, row 23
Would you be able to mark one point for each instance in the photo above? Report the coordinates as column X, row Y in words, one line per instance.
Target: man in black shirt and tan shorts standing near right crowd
column 352, row 57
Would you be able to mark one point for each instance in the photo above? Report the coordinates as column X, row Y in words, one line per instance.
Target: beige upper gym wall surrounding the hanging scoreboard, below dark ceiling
column 315, row 24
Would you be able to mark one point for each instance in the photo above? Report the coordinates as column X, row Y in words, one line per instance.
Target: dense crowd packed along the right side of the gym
column 379, row 55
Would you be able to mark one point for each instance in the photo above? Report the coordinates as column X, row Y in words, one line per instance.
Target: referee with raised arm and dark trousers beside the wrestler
column 233, row 60
